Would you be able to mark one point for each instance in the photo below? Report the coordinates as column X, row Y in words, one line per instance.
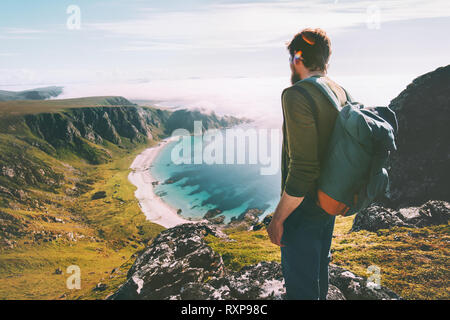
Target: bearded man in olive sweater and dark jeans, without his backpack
column 301, row 228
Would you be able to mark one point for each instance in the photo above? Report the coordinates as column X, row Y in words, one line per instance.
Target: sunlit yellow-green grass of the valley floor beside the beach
column 112, row 230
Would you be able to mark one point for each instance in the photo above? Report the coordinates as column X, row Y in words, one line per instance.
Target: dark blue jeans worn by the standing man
column 304, row 260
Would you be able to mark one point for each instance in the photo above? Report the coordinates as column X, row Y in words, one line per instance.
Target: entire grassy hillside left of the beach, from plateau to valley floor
column 49, row 218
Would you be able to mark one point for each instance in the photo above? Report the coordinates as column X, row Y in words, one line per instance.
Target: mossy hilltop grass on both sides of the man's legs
column 413, row 262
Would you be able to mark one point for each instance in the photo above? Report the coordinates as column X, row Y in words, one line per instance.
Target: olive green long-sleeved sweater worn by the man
column 303, row 147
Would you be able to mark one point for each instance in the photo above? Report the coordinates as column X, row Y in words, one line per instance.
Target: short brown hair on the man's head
column 315, row 47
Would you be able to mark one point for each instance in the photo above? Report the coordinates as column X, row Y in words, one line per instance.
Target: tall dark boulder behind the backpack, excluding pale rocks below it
column 419, row 168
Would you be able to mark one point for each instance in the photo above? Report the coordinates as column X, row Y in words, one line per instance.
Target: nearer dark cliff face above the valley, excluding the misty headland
column 75, row 129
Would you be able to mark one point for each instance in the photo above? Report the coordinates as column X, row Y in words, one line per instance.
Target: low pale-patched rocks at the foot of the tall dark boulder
column 376, row 217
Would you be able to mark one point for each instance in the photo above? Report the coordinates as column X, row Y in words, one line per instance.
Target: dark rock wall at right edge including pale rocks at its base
column 419, row 170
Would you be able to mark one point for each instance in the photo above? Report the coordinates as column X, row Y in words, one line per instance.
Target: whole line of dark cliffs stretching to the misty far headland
column 113, row 124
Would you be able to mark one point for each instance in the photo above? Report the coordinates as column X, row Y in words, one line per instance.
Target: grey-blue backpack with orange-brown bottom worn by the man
column 353, row 174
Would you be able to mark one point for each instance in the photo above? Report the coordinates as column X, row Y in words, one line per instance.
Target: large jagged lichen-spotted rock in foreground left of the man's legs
column 177, row 257
